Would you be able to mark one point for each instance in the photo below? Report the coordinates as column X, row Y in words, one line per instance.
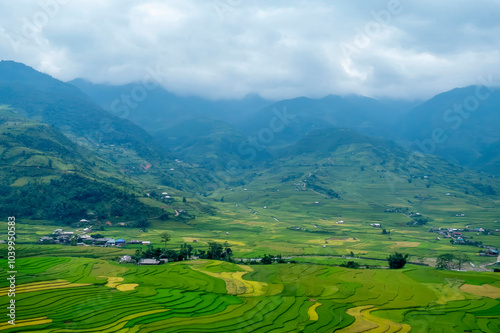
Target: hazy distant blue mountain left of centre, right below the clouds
column 161, row 109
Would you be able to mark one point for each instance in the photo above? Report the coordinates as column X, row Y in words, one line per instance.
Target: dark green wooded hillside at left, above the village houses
column 69, row 199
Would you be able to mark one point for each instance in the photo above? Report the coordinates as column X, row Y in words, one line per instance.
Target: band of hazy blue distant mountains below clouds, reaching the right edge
column 459, row 125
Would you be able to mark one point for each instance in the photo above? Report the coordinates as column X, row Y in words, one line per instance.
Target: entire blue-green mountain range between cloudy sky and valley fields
column 338, row 146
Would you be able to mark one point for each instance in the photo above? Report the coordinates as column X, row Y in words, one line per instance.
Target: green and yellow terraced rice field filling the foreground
column 84, row 295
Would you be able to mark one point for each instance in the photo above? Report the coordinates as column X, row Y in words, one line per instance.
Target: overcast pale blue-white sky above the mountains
column 226, row 49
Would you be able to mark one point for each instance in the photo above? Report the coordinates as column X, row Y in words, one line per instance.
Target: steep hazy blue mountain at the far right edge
column 460, row 125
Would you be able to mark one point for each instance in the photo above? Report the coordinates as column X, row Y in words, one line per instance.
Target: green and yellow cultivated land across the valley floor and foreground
column 311, row 295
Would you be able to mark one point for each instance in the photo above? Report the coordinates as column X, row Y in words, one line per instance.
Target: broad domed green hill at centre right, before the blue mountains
column 343, row 164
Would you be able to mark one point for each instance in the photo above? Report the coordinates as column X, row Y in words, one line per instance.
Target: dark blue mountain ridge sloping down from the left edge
column 51, row 101
